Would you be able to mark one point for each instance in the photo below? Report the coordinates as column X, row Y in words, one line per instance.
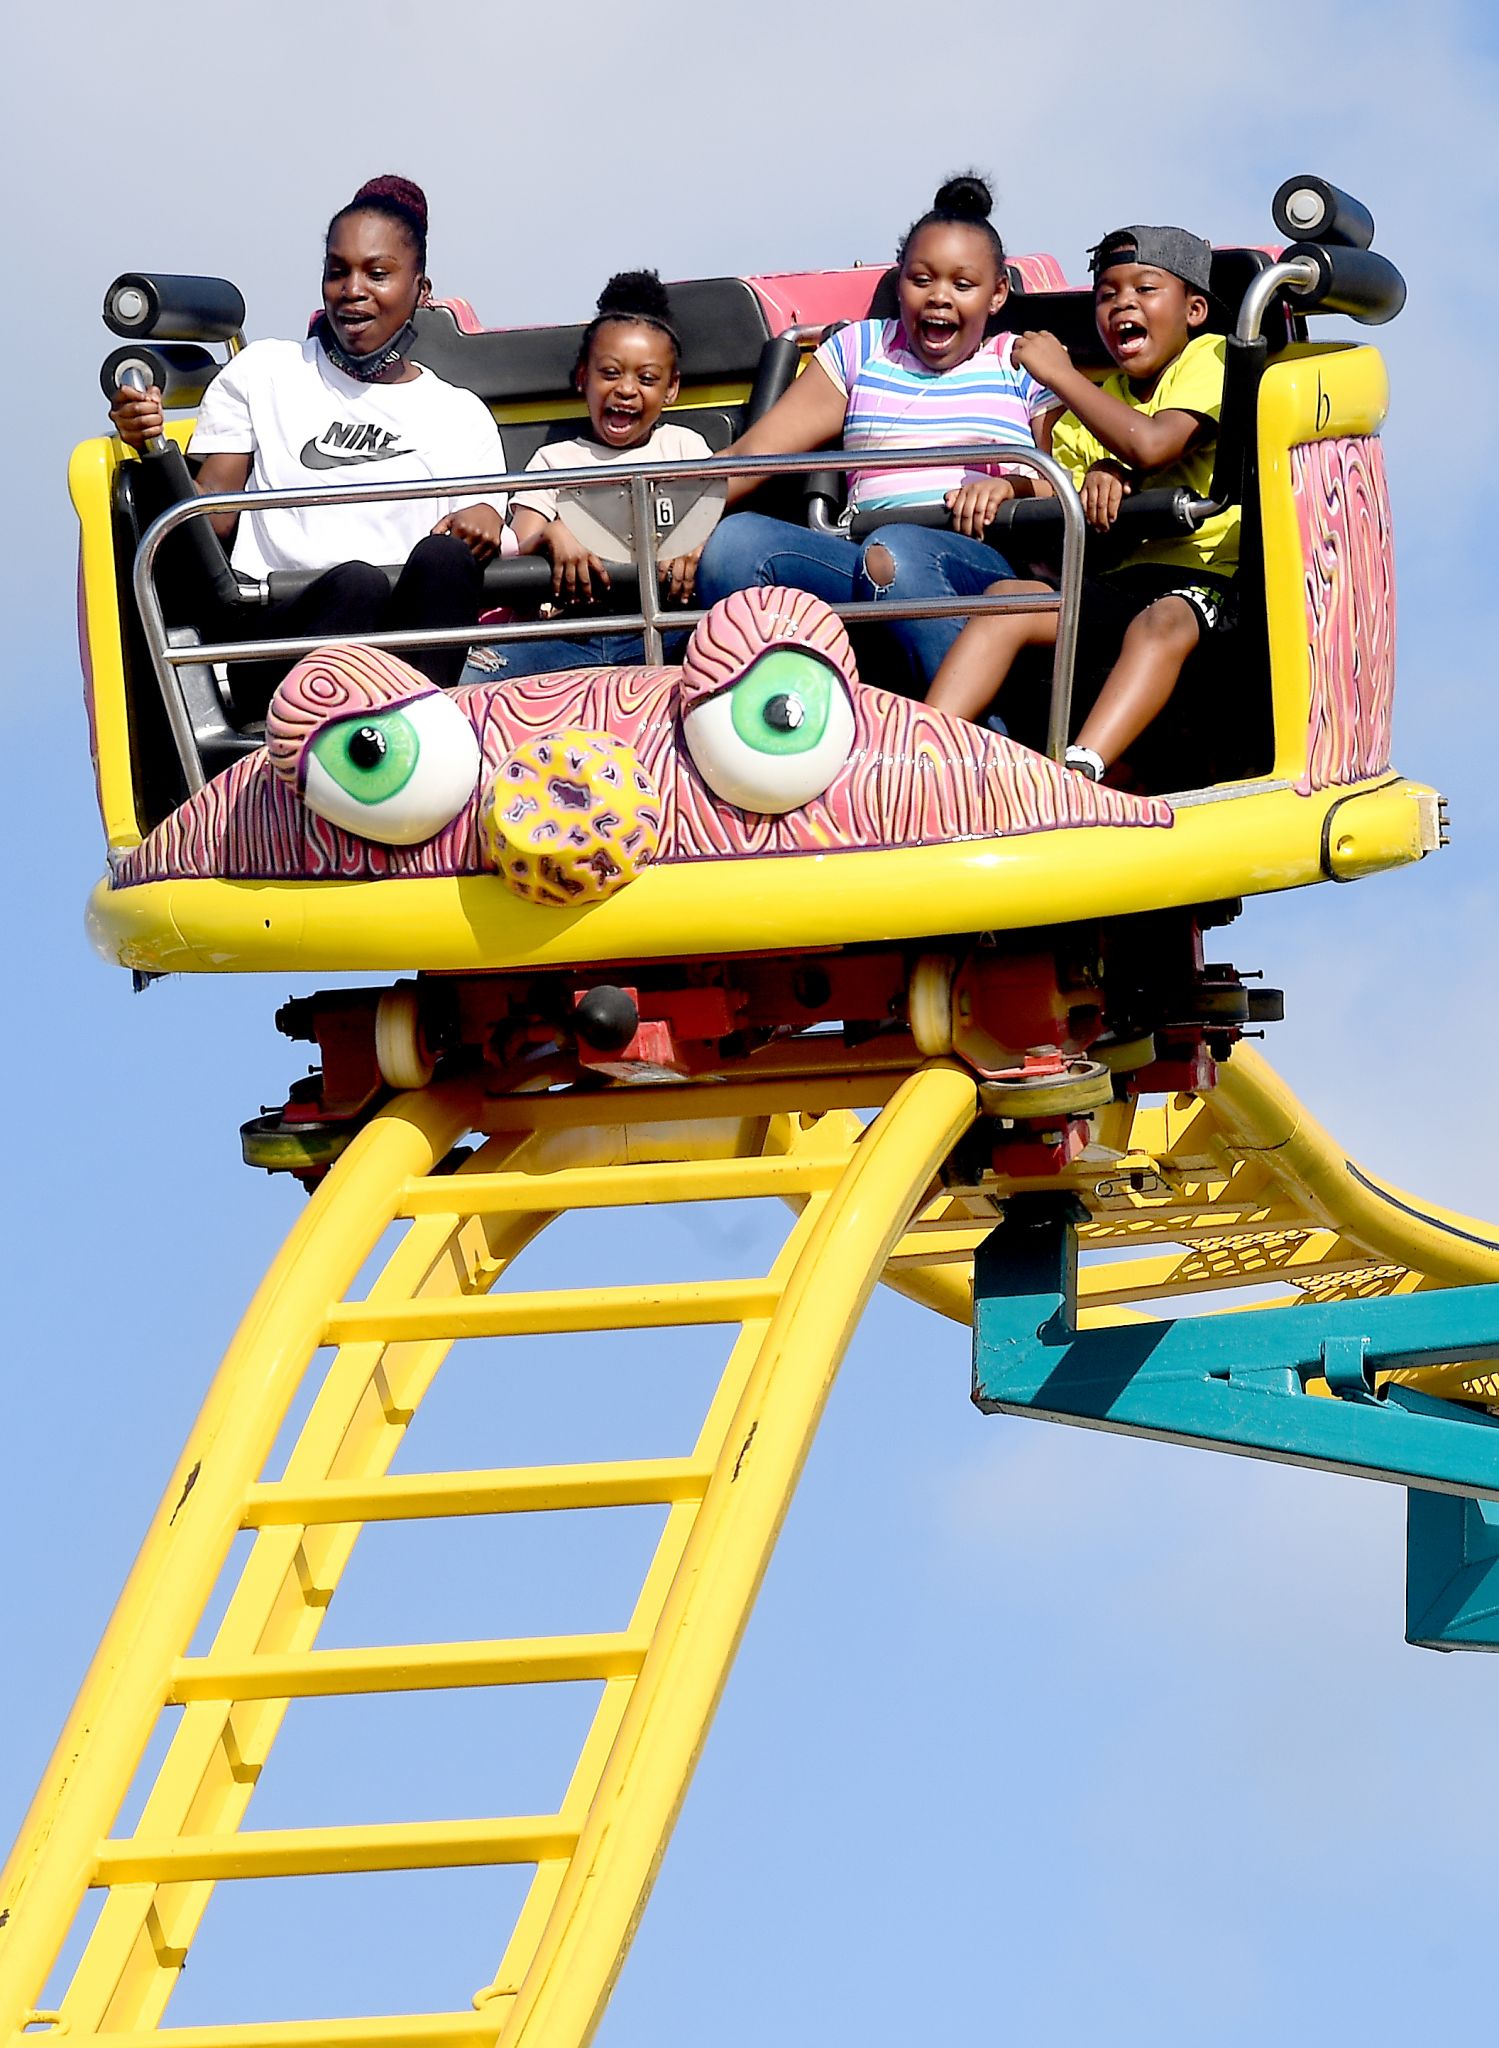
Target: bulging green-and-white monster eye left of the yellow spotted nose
column 394, row 777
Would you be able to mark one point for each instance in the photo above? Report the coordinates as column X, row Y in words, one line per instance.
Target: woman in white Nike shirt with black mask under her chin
column 347, row 404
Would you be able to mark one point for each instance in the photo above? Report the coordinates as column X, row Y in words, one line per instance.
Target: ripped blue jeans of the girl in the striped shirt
column 751, row 550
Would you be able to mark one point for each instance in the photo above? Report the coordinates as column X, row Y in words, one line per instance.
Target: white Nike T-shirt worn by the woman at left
column 308, row 425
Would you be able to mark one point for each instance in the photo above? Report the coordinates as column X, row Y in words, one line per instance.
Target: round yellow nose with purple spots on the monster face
column 570, row 818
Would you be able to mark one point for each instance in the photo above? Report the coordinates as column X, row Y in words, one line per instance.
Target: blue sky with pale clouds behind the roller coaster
column 1037, row 1734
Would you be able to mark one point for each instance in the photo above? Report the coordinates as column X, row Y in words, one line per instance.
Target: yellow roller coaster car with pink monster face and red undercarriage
column 849, row 880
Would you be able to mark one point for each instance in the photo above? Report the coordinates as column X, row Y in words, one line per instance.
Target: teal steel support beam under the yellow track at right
column 1240, row 1383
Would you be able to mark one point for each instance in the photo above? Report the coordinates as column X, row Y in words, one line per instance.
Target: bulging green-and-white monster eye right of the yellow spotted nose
column 777, row 738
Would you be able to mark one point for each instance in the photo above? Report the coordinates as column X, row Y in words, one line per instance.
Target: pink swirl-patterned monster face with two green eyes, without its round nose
column 763, row 744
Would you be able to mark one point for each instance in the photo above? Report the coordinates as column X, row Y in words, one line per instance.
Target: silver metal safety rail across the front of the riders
column 648, row 622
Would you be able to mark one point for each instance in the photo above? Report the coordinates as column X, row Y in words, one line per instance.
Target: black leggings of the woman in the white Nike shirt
column 439, row 587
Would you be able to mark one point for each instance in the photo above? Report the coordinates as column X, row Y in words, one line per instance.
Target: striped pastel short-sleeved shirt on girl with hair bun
column 898, row 402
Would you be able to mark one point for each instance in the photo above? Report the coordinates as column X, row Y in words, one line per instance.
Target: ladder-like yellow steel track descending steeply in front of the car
column 660, row 1676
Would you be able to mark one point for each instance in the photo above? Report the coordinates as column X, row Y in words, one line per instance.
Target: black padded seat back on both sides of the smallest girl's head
column 720, row 321
